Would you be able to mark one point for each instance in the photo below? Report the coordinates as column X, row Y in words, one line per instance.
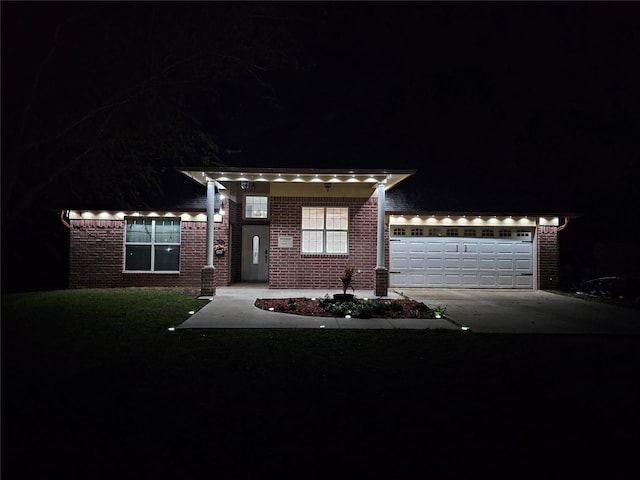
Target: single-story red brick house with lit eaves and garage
column 300, row 227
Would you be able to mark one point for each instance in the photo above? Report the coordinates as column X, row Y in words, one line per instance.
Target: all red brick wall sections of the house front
column 97, row 250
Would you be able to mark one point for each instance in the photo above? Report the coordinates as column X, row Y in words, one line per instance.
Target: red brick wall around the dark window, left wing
column 97, row 257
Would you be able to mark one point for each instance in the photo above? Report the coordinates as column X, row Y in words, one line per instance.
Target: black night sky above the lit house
column 508, row 106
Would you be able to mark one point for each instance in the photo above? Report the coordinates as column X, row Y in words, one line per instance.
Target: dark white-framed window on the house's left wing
column 152, row 245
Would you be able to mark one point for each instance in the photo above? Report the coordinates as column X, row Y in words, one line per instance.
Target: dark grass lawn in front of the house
column 94, row 385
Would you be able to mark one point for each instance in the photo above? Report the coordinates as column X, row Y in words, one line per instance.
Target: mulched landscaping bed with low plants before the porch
column 357, row 308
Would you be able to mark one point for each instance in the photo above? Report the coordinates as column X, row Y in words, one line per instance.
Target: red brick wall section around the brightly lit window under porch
column 289, row 268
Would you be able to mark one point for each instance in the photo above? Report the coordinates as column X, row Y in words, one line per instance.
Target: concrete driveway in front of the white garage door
column 528, row 311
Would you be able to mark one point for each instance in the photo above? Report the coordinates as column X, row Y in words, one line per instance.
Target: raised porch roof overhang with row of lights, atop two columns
column 296, row 175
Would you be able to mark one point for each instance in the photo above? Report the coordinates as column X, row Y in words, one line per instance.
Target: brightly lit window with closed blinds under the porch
column 324, row 230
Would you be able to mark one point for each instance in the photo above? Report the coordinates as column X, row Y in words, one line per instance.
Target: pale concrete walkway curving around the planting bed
column 233, row 307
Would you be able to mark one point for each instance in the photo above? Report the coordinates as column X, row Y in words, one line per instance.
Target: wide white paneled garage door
column 462, row 262
